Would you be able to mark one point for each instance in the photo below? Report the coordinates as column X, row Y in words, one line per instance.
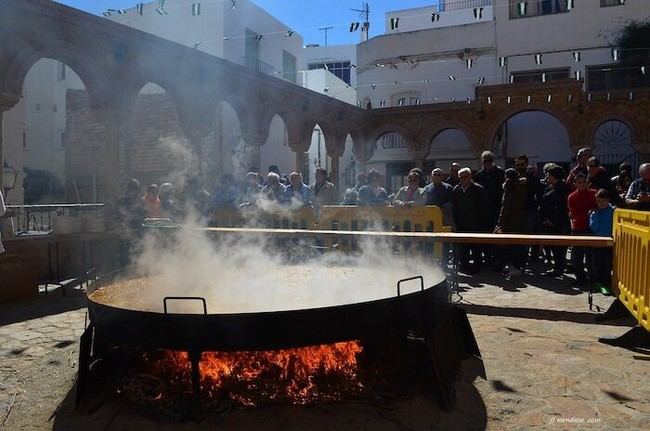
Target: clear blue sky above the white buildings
column 304, row 16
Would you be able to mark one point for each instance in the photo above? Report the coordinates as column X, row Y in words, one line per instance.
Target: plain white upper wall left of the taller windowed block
column 420, row 62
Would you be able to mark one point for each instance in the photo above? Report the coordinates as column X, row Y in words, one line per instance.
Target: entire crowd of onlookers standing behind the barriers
column 492, row 199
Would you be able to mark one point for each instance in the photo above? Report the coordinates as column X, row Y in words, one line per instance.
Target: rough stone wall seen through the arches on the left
column 155, row 149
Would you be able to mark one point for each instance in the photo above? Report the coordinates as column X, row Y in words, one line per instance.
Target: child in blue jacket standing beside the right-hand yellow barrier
column 601, row 222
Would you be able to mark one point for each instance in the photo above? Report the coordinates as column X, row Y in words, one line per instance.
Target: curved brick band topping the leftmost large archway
column 94, row 81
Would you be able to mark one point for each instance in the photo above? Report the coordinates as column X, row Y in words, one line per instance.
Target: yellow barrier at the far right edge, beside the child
column 632, row 262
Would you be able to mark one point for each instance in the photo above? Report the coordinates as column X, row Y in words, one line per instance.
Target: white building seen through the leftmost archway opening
column 38, row 145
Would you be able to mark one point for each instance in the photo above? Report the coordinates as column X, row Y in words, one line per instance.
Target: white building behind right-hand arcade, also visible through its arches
column 442, row 53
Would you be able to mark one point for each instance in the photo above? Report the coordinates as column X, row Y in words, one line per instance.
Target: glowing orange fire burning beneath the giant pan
column 294, row 376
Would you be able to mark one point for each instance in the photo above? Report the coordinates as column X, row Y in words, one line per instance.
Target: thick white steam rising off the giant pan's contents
column 253, row 273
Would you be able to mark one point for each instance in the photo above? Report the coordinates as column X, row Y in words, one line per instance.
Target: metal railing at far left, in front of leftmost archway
column 41, row 218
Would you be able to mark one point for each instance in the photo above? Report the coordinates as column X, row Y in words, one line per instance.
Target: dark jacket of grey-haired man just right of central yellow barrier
column 469, row 208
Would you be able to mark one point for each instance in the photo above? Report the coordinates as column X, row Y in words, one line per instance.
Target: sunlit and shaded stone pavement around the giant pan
column 545, row 370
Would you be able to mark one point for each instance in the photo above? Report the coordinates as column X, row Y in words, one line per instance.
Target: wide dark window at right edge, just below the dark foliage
column 615, row 77
